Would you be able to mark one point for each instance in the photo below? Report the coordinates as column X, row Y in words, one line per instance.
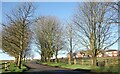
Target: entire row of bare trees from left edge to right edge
column 94, row 24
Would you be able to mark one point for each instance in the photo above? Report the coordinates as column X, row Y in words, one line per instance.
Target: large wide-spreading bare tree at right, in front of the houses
column 96, row 28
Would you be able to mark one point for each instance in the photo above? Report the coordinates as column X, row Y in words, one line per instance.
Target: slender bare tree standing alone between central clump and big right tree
column 71, row 40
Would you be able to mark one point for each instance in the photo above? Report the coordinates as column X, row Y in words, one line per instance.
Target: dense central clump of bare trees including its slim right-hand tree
column 48, row 32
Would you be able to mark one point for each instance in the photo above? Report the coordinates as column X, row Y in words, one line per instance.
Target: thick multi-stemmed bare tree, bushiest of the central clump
column 45, row 31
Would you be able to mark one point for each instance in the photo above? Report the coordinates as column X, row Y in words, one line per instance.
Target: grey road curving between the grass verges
column 38, row 68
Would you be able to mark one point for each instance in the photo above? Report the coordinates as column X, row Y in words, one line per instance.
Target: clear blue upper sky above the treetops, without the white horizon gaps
column 62, row 10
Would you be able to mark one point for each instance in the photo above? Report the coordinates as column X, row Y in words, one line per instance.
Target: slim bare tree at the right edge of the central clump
column 58, row 39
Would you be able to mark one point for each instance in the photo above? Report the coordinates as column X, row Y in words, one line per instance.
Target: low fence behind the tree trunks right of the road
column 104, row 61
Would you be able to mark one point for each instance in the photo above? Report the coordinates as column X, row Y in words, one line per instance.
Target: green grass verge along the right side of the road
column 87, row 67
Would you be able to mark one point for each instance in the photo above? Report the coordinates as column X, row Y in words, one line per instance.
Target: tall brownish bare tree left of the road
column 18, row 34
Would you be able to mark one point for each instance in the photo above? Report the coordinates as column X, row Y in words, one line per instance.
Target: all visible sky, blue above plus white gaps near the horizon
column 62, row 10
